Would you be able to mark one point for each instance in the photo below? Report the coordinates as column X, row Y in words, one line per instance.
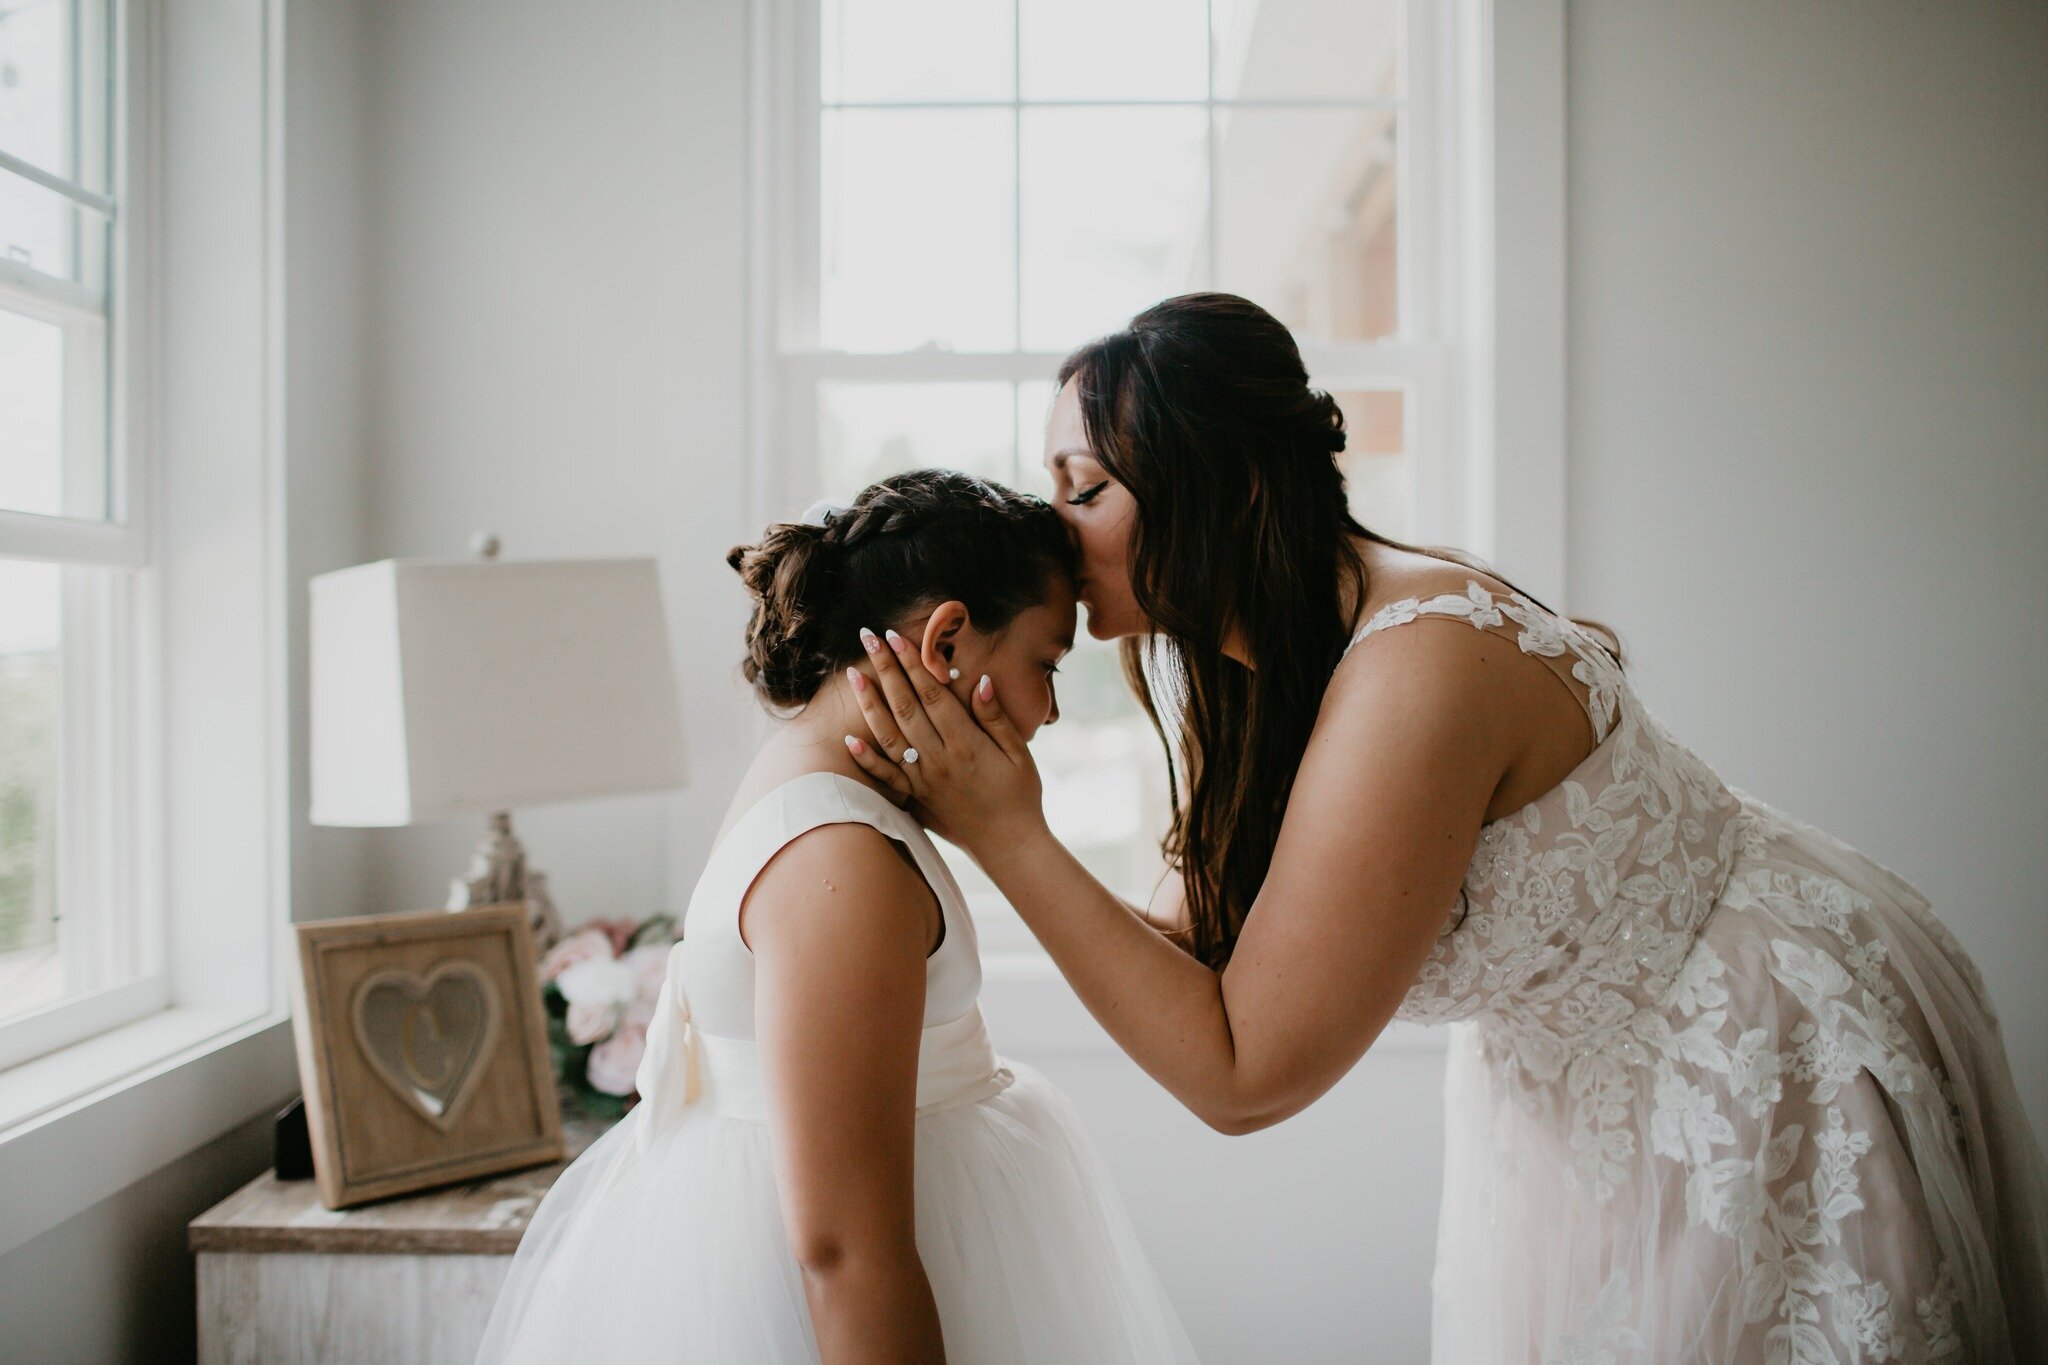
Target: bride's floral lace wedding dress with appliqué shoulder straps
column 1723, row 1090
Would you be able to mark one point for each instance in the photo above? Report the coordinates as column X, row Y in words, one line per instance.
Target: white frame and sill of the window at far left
column 202, row 406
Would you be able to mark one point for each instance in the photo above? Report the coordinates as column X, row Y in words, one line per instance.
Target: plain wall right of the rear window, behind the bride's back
column 1809, row 425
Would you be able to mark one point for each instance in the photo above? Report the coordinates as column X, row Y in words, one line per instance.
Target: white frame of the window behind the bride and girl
column 1482, row 353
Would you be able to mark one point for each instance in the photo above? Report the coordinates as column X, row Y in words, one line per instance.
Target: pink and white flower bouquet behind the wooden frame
column 599, row 989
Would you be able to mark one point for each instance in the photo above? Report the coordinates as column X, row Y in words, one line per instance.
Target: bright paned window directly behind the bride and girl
column 962, row 191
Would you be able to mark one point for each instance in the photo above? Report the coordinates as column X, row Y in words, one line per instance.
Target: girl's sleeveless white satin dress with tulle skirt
column 665, row 1241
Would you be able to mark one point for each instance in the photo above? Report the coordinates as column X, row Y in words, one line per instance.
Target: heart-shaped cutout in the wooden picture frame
column 429, row 1037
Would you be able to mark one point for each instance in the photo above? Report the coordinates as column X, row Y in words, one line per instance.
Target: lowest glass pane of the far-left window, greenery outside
column 32, row 969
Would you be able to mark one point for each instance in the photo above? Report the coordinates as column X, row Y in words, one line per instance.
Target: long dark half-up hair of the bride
column 1203, row 410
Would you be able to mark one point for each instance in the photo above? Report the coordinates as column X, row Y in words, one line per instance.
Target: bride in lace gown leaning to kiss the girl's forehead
column 1723, row 1088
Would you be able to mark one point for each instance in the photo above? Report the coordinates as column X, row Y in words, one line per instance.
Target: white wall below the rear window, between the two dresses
column 1310, row 1243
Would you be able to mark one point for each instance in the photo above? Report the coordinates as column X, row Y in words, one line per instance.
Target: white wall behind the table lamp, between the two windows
column 556, row 230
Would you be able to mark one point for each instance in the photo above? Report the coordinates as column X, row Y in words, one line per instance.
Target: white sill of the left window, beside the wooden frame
column 89, row 1120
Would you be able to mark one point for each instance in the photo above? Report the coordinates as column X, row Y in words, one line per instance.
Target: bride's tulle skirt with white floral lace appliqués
column 1809, row 1149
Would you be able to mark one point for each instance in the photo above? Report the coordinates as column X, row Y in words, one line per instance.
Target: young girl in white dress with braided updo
column 828, row 1159
